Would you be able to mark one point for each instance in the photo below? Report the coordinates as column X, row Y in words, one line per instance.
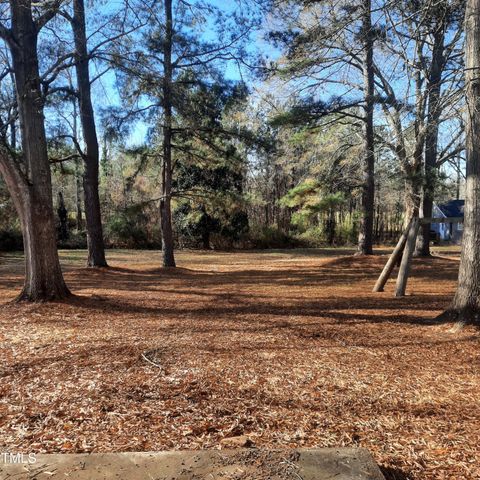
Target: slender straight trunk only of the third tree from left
column 165, row 203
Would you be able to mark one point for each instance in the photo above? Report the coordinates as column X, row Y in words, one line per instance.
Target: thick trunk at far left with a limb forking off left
column 31, row 186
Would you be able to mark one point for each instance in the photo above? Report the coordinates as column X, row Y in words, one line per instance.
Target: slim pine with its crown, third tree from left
column 175, row 57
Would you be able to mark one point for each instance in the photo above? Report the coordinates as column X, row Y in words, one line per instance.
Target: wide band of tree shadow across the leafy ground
column 344, row 285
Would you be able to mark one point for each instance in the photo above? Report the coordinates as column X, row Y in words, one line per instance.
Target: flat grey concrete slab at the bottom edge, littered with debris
column 244, row 464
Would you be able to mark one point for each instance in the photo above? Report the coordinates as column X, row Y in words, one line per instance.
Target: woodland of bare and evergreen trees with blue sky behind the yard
column 241, row 125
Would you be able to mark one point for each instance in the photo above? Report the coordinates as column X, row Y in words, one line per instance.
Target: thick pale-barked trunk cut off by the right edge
column 466, row 304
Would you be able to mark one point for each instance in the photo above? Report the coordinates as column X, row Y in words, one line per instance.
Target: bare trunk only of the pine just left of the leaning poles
column 365, row 236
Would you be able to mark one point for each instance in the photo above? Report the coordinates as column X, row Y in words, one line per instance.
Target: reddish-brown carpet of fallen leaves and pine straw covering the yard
column 289, row 348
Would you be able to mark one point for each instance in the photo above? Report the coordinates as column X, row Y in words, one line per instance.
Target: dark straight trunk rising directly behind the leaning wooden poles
column 431, row 138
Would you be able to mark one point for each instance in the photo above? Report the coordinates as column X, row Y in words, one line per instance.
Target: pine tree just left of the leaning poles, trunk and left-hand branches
column 331, row 45
